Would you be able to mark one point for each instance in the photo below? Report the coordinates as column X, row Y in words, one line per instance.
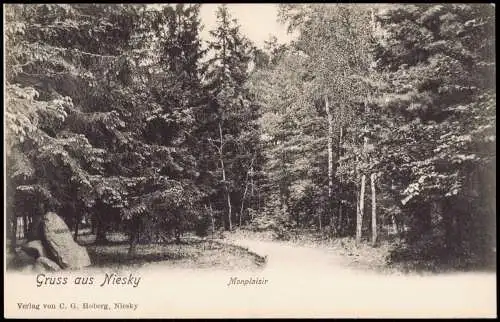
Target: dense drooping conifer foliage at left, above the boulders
column 80, row 122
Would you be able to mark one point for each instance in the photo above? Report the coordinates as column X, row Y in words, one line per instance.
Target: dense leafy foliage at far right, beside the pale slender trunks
column 436, row 116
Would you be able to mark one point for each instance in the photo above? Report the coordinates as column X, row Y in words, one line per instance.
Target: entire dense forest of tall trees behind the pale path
column 377, row 123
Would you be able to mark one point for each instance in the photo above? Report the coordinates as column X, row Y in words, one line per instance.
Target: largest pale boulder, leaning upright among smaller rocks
column 60, row 245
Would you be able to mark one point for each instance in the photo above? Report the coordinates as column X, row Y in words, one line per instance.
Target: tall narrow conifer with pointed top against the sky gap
column 228, row 122
